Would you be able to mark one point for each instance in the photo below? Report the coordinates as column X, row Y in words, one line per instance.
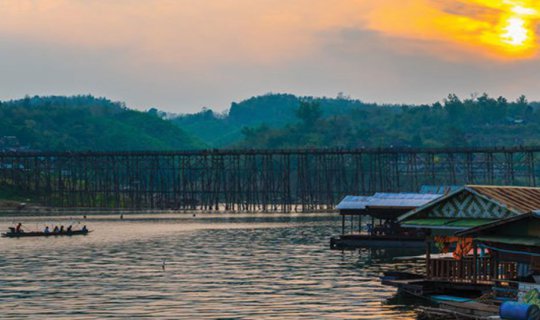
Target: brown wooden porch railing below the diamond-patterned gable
column 466, row 270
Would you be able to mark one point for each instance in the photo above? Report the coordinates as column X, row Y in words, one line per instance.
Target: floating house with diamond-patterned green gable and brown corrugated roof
column 458, row 226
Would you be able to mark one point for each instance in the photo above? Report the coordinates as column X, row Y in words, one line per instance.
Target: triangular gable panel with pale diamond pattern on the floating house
column 468, row 205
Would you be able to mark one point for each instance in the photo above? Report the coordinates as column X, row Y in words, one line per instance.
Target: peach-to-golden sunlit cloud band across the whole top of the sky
column 190, row 34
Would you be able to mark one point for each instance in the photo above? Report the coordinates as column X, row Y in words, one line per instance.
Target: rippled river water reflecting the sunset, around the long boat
column 185, row 267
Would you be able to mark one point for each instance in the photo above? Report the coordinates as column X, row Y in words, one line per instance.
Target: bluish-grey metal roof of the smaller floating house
column 394, row 200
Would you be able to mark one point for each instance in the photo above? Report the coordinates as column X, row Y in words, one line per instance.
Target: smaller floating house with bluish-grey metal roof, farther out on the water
column 372, row 221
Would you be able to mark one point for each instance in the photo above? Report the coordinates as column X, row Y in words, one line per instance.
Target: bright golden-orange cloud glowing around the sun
column 501, row 29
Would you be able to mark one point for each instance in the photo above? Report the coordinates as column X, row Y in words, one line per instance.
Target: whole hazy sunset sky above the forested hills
column 181, row 55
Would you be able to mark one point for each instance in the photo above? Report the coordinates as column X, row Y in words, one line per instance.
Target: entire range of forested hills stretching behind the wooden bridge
column 83, row 123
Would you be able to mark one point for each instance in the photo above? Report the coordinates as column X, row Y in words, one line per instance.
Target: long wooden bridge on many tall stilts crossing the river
column 253, row 180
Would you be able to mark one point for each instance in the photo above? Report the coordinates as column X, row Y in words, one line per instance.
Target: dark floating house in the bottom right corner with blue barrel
column 513, row 242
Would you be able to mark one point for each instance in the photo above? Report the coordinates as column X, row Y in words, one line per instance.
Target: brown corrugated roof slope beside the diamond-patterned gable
column 522, row 199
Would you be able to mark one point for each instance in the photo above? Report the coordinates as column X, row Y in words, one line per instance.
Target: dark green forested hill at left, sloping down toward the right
column 85, row 123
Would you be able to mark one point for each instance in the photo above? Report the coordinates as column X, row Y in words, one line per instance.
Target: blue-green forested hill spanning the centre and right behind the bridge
column 287, row 121
